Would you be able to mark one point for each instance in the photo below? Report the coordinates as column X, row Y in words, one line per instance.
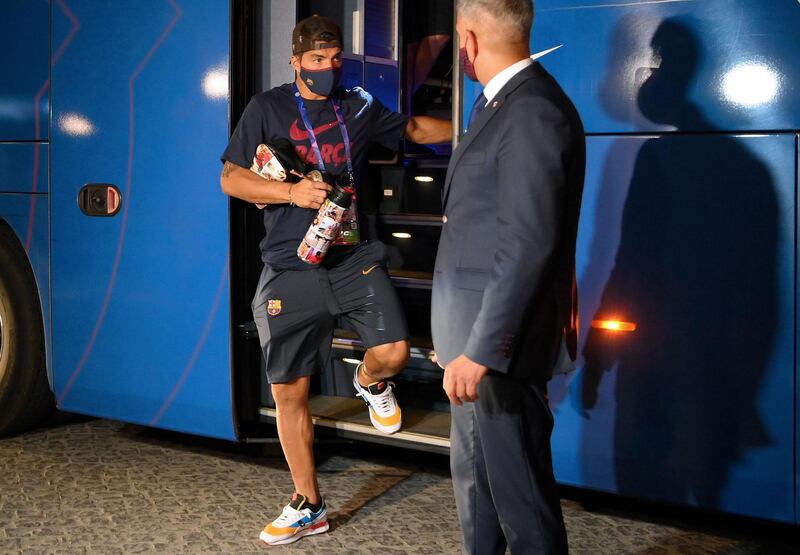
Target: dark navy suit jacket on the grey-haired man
column 503, row 287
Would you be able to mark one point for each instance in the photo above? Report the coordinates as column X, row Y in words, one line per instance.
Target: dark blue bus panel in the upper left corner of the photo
column 24, row 96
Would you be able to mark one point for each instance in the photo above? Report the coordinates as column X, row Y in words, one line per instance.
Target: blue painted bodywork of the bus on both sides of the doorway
column 141, row 328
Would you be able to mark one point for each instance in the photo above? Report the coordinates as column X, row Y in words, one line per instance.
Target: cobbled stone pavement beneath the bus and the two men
column 103, row 487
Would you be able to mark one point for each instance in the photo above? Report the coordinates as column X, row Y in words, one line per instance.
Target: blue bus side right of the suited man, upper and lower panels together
column 709, row 422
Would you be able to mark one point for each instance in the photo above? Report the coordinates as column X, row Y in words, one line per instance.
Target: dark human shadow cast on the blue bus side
column 695, row 270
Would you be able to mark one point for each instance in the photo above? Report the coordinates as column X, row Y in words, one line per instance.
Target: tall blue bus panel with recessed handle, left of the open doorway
column 140, row 300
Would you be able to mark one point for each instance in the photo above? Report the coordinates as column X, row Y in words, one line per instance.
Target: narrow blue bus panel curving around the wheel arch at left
column 27, row 215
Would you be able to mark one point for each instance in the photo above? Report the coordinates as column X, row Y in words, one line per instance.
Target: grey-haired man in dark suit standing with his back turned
column 503, row 290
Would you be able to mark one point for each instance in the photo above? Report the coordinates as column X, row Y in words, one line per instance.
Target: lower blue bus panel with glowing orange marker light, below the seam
column 692, row 239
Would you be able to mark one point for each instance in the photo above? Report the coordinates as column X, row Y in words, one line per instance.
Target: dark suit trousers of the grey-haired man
column 502, row 470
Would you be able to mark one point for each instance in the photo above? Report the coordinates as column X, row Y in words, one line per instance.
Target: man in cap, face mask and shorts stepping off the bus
column 296, row 303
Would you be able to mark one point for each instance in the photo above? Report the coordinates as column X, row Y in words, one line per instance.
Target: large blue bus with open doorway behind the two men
column 126, row 274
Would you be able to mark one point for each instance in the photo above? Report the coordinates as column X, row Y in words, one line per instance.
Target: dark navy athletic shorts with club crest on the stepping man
column 296, row 311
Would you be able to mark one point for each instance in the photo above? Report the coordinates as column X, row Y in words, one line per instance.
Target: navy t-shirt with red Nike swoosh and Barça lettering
column 273, row 115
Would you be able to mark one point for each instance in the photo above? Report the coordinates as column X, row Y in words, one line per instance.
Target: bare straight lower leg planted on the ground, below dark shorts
column 296, row 434
